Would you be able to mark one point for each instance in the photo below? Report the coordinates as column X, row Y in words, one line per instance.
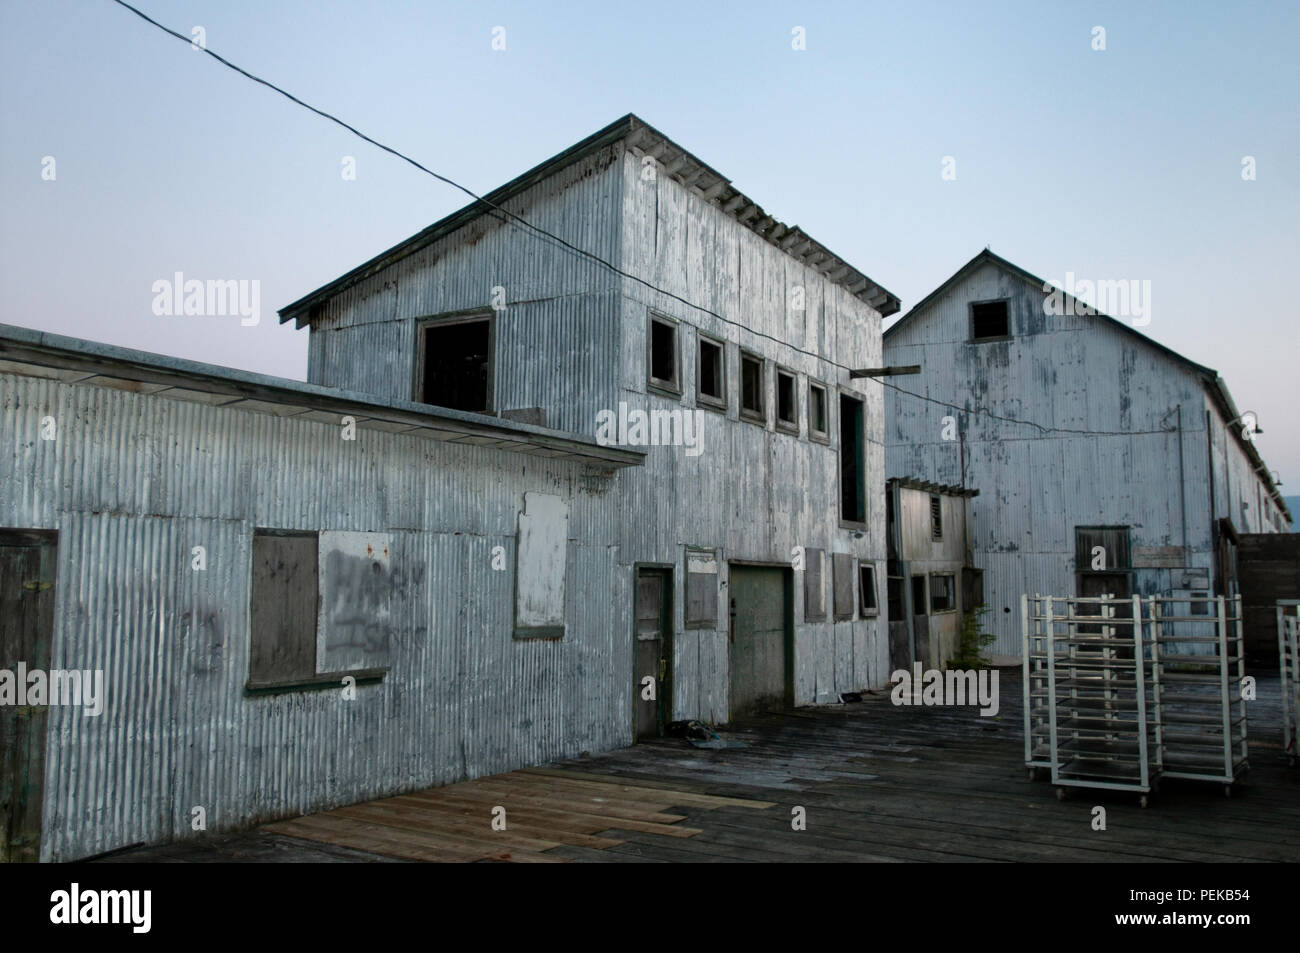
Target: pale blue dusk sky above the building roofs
column 1116, row 164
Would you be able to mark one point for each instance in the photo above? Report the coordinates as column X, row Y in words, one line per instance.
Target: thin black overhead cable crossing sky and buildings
column 510, row 218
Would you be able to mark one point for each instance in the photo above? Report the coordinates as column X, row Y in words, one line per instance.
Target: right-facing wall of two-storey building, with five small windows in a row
column 755, row 493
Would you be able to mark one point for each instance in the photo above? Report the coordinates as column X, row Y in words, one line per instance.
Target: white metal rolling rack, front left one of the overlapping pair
column 1103, row 698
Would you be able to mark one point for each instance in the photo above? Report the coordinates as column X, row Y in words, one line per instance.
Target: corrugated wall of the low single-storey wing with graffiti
column 133, row 483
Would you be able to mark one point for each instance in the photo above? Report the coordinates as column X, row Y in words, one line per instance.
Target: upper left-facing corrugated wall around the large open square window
column 557, row 336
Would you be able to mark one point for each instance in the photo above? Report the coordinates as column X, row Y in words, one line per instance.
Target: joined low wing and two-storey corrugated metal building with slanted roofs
column 521, row 488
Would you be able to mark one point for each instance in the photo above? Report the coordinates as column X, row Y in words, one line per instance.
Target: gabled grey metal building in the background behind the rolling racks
column 1106, row 462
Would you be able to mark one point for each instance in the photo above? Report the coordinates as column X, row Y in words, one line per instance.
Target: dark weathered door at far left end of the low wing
column 27, row 623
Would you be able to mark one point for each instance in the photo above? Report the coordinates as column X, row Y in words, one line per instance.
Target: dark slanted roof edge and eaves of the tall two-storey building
column 674, row 162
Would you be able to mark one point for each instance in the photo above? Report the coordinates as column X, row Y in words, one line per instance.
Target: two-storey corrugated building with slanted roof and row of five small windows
column 739, row 327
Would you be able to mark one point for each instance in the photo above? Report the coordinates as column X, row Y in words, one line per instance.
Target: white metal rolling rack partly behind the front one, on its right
column 1199, row 647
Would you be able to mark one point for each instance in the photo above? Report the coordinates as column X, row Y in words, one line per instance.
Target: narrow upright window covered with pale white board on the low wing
column 540, row 568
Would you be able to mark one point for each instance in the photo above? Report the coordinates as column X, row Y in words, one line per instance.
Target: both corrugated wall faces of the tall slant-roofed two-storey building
column 574, row 343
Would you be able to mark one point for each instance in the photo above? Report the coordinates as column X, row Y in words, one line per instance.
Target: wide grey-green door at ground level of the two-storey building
column 760, row 642
